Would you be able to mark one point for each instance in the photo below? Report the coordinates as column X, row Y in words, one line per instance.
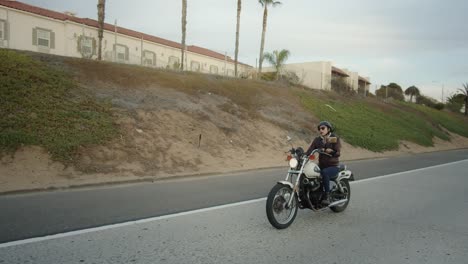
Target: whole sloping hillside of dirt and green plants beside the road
column 68, row 121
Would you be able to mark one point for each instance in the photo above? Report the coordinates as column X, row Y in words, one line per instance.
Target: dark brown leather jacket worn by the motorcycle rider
column 332, row 142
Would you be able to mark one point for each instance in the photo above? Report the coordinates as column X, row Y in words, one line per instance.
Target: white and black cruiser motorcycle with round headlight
column 303, row 189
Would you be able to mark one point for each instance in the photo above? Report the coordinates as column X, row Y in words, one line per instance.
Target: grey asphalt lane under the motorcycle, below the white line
column 411, row 217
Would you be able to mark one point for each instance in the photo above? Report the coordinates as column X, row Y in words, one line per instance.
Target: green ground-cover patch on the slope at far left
column 42, row 106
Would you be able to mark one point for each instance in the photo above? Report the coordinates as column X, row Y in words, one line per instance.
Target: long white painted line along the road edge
column 146, row 220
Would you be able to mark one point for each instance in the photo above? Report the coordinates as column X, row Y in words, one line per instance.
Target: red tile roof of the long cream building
column 93, row 23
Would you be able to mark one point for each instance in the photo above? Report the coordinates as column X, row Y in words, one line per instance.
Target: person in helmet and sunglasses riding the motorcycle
column 329, row 143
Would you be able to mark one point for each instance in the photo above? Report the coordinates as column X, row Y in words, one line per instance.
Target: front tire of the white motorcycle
column 275, row 205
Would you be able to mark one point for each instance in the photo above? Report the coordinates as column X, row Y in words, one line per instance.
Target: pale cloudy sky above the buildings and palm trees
column 410, row 42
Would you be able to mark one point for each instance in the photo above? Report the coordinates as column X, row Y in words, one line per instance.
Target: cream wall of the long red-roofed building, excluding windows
column 68, row 33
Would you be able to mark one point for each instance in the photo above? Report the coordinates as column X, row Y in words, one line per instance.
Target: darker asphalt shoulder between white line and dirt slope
column 45, row 213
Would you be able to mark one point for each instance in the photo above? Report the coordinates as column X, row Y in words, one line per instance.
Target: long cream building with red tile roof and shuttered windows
column 27, row 27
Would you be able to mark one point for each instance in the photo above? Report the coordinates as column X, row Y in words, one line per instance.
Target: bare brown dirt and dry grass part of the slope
column 177, row 124
